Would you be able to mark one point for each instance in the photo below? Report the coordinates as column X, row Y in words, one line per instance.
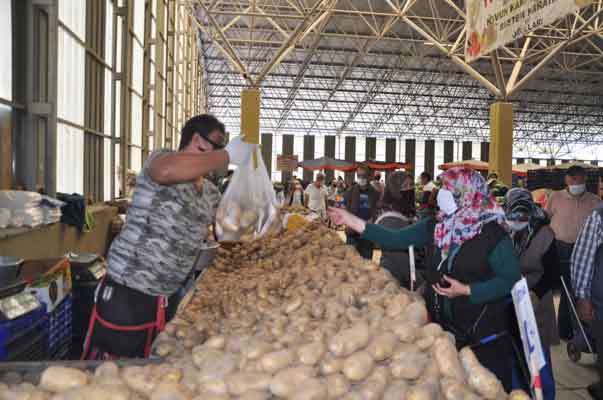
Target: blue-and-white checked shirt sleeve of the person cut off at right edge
column 583, row 257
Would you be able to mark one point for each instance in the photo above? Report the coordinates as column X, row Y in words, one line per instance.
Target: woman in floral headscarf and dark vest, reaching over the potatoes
column 471, row 265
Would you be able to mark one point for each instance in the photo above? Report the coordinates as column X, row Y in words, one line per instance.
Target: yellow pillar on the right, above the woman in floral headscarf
column 501, row 141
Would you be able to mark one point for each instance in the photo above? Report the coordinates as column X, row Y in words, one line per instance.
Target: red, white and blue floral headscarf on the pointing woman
column 476, row 207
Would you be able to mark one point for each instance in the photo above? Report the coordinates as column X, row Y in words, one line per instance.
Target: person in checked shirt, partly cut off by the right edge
column 587, row 281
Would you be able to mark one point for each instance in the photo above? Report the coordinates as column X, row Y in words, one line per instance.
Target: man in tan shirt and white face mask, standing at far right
column 568, row 210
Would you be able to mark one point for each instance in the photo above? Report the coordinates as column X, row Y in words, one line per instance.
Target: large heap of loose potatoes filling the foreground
column 313, row 321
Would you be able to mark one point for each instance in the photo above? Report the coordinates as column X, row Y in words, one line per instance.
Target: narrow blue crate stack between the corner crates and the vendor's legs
column 60, row 329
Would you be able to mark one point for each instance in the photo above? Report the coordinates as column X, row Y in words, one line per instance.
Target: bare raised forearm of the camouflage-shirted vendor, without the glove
column 180, row 167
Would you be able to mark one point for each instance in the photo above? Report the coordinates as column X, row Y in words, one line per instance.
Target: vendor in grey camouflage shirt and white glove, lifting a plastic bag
column 172, row 207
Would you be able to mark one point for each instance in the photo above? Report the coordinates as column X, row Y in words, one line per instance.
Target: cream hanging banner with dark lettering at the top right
column 491, row 24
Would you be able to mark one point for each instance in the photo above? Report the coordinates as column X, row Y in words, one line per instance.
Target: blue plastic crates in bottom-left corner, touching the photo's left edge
column 25, row 338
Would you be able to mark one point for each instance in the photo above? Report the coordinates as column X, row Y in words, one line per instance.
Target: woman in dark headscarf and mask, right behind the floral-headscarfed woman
column 534, row 244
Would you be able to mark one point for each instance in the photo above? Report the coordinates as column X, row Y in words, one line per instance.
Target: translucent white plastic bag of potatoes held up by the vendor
column 249, row 208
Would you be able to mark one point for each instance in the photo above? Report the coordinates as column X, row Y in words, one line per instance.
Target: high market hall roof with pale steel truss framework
column 396, row 69
